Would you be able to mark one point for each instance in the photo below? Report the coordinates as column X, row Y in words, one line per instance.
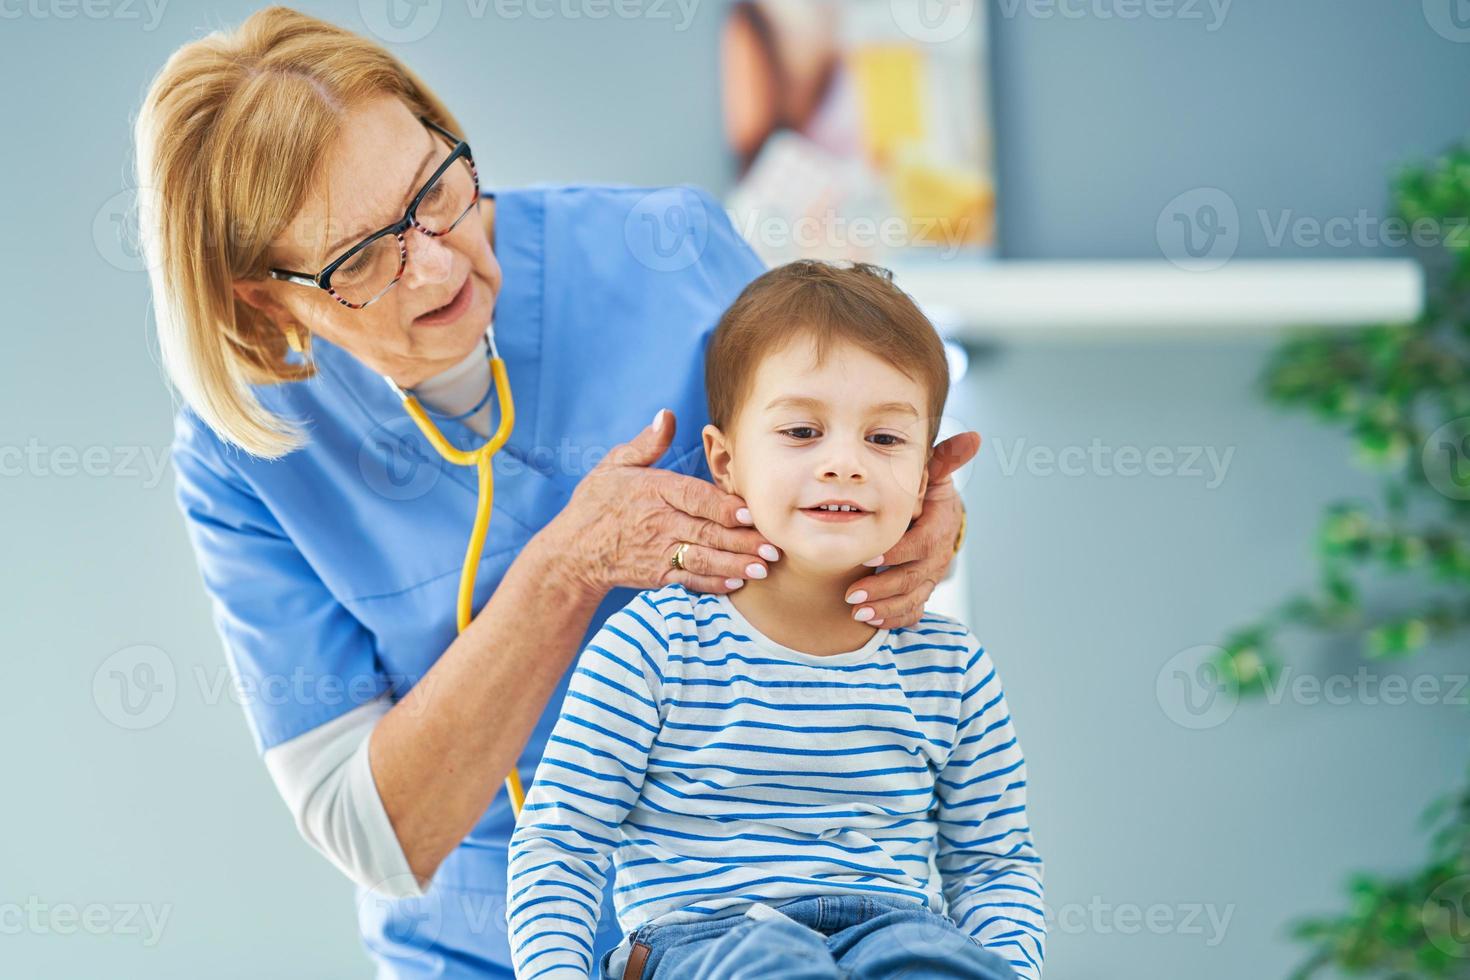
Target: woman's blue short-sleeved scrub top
column 334, row 571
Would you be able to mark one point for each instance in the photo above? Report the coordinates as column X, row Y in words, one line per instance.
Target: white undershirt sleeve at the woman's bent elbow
column 327, row 782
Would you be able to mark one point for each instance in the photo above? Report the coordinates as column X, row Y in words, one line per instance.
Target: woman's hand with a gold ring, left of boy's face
column 625, row 522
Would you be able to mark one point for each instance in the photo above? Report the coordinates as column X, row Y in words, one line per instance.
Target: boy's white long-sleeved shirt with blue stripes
column 717, row 768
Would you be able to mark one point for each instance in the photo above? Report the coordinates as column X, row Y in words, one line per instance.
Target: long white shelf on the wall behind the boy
column 1147, row 299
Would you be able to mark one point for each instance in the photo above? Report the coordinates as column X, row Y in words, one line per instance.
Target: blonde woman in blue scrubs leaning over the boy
column 315, row 226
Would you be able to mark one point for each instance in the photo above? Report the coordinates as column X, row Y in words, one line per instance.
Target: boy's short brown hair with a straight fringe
column 831, row 305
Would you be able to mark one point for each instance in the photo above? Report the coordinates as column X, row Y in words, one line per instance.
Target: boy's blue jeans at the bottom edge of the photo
column 822, row 938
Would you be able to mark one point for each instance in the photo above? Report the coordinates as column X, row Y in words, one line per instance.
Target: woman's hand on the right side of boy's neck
column 897, row 596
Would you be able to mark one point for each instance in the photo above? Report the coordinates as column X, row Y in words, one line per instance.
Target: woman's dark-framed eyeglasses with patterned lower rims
column 367, row 271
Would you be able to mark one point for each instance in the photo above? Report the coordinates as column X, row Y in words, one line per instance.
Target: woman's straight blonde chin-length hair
column 229, row 143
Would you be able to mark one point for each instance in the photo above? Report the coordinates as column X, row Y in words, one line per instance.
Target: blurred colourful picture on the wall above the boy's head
column 861, row 130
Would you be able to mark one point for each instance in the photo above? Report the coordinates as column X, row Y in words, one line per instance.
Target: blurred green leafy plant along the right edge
column 1388, row 387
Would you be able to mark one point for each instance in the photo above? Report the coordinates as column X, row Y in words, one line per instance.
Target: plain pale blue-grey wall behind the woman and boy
column 1084, row 587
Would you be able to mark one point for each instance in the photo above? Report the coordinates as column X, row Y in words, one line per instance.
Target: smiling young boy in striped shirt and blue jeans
column 787, row 791
